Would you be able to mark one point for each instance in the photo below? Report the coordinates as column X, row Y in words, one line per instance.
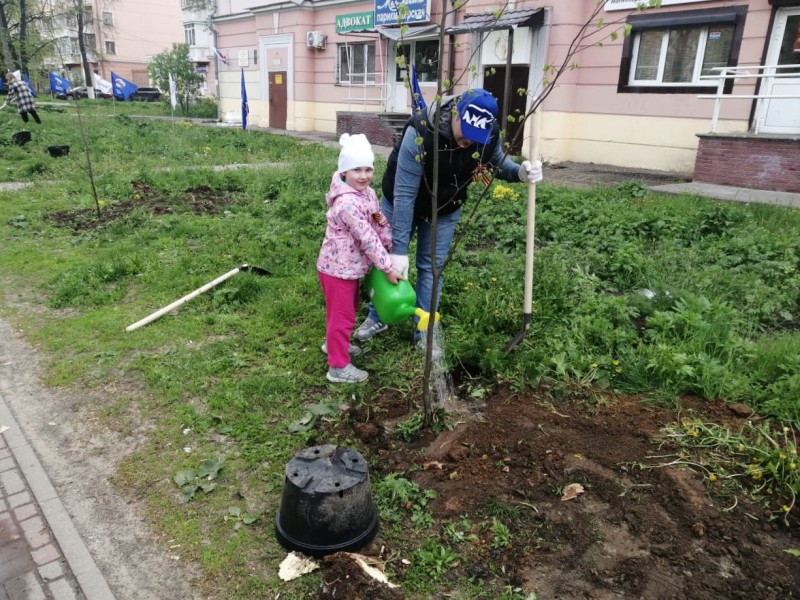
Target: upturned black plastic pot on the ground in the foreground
column 326, row 505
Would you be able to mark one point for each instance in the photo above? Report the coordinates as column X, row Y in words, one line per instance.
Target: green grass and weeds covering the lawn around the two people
column 633, row 293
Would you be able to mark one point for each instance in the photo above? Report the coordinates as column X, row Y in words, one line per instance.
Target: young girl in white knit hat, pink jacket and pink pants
column 356, row 238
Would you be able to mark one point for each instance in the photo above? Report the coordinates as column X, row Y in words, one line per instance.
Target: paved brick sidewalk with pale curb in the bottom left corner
column 42, row 556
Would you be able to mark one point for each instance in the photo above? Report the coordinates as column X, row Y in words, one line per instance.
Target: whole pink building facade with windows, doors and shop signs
column 640, row 93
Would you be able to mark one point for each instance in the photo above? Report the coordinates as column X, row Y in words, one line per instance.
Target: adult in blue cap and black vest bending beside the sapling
column 469, row 143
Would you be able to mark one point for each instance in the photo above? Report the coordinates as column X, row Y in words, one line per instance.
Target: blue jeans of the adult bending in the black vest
column 445, row 230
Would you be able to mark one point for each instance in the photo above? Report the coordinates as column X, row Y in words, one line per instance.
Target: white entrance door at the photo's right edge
column 782, row 115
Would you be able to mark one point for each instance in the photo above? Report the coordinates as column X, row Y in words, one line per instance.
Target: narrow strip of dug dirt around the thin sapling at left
column 197, row 200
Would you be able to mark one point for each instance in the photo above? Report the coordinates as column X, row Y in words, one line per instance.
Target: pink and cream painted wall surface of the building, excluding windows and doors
column 585, row 117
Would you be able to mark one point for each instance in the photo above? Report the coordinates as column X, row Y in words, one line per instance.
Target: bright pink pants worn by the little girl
column 341, row 303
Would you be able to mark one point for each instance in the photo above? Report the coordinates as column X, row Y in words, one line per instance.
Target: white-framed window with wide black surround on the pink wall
column 669, row 52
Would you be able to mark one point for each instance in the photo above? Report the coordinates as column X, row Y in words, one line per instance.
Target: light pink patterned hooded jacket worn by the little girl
column 357, row 236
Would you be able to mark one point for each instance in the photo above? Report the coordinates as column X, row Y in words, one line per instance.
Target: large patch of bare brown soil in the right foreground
column 634, row 532
